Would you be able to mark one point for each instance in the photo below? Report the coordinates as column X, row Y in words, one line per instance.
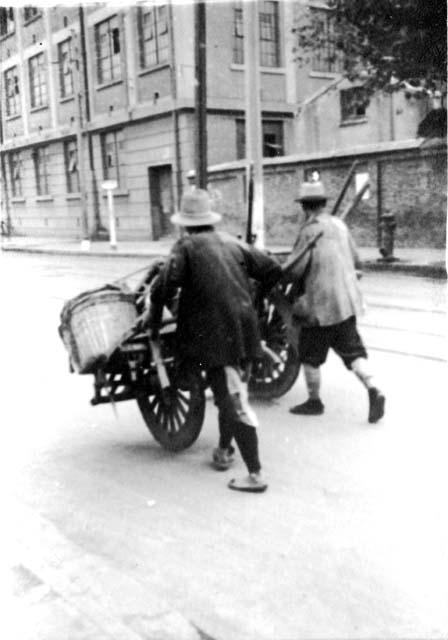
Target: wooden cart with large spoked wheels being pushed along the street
column 171, row 401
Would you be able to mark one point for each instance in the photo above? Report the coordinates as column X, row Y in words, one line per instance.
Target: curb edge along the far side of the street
column 436, row 270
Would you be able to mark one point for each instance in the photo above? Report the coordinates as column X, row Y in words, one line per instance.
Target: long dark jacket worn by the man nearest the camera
column 217, row 324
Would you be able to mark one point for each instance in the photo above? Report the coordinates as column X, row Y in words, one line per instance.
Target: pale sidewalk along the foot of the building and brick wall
column 423, row 262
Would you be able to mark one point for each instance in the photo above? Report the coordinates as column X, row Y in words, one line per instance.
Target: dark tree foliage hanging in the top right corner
column 384, row 43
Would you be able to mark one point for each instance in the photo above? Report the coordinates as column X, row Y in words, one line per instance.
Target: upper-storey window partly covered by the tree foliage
column 325, row 57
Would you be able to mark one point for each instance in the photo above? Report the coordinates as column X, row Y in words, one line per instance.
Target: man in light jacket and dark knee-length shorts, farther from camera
column 330, row 302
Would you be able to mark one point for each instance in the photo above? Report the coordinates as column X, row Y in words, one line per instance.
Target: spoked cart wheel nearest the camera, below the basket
column 174, row 416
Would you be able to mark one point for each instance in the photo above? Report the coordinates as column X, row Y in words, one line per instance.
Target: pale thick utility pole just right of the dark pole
column 254, row 132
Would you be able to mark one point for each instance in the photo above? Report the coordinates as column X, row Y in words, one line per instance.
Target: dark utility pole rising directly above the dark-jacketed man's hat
column 200, row 58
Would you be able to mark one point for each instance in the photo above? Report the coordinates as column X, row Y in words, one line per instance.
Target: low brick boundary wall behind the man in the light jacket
column 413, row 189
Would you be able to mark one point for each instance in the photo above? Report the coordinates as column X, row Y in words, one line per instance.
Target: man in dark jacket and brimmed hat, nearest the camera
column 217, row 327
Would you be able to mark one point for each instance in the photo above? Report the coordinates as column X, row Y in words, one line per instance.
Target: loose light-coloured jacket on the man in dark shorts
column 328, row 271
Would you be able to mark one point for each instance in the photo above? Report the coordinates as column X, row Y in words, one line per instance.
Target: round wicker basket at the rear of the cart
column 94, row 323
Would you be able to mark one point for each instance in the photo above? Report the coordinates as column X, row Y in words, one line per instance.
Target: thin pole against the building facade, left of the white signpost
column 85, row 242
